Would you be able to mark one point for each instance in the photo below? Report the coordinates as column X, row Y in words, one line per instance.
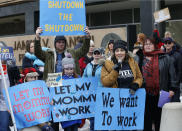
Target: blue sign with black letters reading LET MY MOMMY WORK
column 75, row 99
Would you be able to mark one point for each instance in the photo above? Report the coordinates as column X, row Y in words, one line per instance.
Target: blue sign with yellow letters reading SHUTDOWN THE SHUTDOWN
column 62, row 17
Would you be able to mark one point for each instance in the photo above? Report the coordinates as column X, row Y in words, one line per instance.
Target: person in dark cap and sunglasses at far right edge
column 171, row 49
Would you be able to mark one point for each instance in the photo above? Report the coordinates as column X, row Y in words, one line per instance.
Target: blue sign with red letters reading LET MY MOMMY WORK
column 30, row 103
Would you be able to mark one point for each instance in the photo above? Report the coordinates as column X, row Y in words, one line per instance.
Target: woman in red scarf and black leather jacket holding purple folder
column 159, row 74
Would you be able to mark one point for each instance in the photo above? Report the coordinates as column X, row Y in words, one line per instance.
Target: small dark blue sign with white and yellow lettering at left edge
column 6, row 53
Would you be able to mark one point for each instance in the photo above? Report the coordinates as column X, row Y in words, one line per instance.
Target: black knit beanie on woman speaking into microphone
column 120, row 44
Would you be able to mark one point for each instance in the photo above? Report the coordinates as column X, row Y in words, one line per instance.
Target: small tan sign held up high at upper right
column 162, row 15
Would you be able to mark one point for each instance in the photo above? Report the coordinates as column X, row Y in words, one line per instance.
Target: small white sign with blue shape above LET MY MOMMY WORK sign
column 54, row 79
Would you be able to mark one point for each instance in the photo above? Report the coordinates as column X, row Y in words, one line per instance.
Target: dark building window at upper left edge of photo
column 11, row 25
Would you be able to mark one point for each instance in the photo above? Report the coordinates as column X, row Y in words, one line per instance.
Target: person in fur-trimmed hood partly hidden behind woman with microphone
column 109, row 49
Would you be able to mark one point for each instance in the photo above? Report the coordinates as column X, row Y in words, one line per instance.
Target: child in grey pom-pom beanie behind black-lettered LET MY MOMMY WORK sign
column 68, row 65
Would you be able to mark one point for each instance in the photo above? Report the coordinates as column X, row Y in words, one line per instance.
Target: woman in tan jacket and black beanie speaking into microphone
column 122, row 71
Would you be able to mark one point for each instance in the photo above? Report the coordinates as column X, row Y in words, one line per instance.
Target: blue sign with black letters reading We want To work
column 116, row 109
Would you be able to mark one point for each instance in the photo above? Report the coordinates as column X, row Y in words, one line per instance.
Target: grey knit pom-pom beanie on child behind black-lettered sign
column 68, row 61
